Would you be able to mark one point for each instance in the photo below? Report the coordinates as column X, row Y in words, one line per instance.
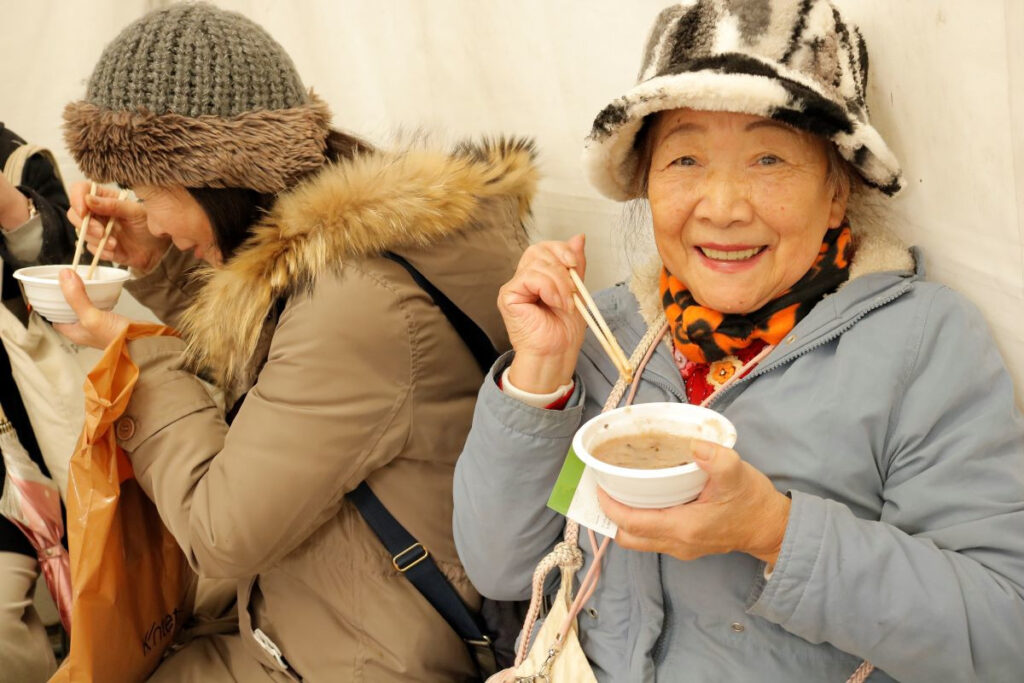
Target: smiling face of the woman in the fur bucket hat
column 741, row 205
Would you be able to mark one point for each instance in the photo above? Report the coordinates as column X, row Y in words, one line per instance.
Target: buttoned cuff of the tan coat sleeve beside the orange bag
column 164, row 394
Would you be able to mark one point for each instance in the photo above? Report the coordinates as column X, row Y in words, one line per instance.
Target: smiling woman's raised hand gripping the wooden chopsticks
column 544, row 326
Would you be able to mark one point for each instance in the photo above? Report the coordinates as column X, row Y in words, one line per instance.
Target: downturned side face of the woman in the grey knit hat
column 175, row 214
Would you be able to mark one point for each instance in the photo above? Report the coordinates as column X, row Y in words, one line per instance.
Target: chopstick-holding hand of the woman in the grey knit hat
column 131, row 243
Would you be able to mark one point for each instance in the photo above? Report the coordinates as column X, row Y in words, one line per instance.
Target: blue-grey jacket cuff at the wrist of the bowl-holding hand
column 778, row 593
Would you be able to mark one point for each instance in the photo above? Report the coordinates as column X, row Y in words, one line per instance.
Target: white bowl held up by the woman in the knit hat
column 42, row 289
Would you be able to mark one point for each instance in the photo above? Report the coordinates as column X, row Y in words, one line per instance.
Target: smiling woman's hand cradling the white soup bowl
column 739, row 510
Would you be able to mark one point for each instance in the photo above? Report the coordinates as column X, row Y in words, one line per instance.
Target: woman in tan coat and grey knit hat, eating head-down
column 349, row 370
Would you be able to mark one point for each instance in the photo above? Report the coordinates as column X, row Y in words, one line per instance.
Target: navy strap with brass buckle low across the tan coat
column 411, row 559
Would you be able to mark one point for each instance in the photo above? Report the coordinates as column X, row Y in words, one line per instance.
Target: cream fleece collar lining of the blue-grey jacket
column 878, row 249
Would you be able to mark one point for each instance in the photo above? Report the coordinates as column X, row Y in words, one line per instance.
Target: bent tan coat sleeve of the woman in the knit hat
column 330, row 406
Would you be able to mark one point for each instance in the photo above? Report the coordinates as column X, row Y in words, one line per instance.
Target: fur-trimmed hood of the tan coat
column 404, row 201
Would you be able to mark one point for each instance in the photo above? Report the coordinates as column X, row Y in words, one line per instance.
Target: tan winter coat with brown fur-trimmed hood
column 361, row 378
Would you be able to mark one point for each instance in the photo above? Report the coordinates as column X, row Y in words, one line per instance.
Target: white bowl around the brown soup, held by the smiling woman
column 653, row 488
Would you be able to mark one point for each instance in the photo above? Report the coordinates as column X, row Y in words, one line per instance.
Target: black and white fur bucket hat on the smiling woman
column 794, row 61
